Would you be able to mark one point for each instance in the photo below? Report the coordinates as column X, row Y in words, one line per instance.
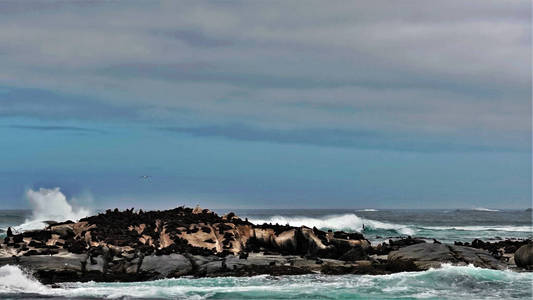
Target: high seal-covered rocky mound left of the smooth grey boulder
column 127, row 245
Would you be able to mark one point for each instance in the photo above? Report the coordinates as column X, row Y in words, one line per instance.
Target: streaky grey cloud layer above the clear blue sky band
column 414, row 67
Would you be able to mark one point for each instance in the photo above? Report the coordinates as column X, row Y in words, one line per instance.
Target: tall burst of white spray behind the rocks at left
column 50, row 205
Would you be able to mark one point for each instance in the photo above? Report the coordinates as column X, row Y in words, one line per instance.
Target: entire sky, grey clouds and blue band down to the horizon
column 267, row 104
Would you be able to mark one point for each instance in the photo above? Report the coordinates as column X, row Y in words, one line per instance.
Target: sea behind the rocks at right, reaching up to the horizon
column 445, row 225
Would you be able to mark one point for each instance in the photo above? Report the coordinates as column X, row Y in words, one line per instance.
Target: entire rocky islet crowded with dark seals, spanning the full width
column 136, row 246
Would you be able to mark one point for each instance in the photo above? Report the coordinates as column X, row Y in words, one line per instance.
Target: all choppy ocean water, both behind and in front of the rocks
column 449, row 282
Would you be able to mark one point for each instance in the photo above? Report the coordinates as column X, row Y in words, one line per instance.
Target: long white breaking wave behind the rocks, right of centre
column 348, row 222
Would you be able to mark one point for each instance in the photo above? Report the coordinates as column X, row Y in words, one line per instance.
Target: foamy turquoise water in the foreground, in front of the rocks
column 448, row 282
